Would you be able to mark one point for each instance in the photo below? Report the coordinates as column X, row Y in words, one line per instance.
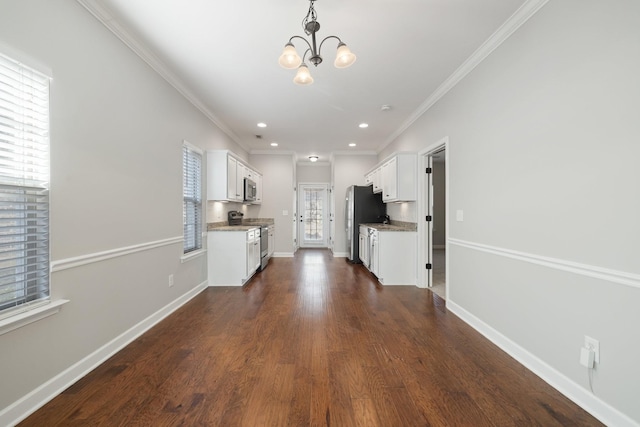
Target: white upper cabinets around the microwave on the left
column 225, row 177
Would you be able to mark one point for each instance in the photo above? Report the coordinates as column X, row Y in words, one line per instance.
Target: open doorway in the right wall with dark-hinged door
column 434, row 234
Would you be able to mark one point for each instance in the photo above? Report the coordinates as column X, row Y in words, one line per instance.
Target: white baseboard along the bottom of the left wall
column 37, row 398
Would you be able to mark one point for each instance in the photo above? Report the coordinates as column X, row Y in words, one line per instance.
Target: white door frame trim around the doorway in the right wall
column 424, row 245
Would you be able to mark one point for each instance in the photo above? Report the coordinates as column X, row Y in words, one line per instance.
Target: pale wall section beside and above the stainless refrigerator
column 348, row 169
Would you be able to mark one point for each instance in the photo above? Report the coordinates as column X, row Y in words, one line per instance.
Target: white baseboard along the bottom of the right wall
column 573, row 391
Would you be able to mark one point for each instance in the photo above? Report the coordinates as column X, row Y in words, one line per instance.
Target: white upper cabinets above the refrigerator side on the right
column 396, row 177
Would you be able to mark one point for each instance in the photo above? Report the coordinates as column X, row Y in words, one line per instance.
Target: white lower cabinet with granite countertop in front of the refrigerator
column 391, row 256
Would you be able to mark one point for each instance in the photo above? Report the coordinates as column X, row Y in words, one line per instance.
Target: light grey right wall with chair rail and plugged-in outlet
column 543, row 161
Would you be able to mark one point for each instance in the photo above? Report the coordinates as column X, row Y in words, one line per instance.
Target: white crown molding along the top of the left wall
column 105, row 16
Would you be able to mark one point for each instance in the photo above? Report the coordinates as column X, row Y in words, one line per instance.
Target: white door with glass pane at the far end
column 313, row 215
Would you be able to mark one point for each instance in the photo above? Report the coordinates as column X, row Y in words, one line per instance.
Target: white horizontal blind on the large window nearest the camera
column 24, row 187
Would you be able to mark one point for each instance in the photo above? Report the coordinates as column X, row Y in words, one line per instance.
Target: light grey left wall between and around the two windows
column 116, row 181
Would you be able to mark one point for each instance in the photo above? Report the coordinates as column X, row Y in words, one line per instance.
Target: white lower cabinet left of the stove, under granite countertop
column 233, row 256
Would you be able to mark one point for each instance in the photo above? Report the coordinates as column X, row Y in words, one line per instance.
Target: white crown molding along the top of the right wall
column 515, row 21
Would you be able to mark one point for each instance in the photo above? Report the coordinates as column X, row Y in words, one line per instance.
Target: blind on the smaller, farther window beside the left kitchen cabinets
column 192, row 197
